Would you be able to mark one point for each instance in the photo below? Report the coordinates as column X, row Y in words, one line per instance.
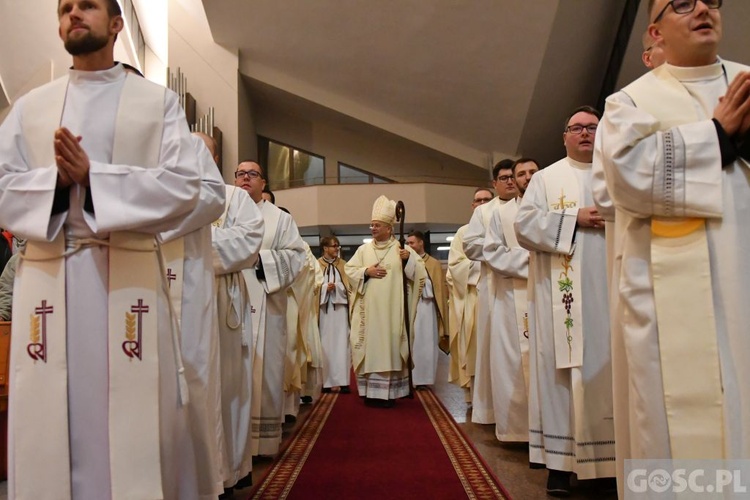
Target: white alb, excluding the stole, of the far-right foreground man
column 636, row 161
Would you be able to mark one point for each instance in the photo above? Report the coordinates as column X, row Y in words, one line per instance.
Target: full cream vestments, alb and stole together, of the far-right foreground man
column 653, row 171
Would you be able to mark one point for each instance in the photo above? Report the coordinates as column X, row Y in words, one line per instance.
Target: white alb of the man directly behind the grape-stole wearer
column 510, row 398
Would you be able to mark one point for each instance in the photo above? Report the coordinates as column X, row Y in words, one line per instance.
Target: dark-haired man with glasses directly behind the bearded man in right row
column 482, row 404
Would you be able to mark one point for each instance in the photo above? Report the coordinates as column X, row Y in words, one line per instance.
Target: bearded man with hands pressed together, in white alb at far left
column 92, row 167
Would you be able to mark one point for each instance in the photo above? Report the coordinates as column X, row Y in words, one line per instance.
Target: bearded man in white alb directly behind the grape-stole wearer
column 510, row 361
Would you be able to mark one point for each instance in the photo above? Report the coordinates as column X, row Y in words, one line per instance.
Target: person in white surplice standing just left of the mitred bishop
column 334, row 318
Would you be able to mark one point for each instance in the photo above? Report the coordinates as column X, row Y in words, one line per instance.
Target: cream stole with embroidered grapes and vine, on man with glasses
column 563, row 193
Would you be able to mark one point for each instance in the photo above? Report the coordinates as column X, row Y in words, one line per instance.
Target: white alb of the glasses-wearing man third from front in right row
column 482, row 398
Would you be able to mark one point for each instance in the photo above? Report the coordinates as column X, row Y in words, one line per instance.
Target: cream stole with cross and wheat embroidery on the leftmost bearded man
column 39, row 351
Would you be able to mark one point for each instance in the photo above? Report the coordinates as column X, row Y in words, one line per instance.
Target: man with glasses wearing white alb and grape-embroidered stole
column 570, row 390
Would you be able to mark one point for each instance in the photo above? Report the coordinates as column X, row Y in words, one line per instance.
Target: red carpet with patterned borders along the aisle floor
column 348, row 450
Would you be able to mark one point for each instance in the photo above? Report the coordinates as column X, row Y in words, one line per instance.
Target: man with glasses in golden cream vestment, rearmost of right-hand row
column 462, row 277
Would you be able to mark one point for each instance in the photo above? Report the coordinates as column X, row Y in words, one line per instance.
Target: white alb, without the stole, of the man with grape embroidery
column 570, row 410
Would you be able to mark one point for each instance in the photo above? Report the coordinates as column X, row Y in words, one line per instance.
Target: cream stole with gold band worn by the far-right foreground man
column 691, row 373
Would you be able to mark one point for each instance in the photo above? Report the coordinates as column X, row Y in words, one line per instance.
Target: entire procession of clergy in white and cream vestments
column 167, row 325
